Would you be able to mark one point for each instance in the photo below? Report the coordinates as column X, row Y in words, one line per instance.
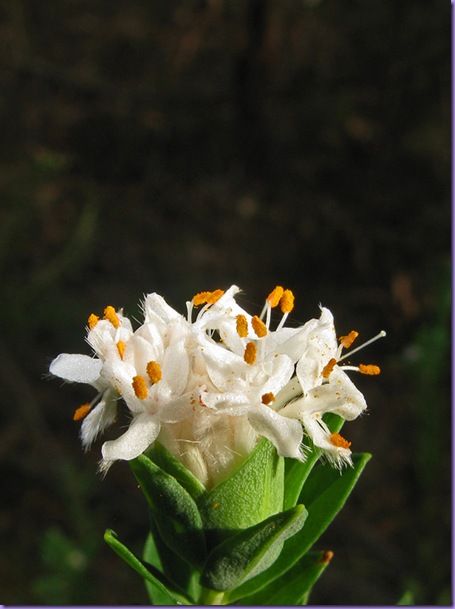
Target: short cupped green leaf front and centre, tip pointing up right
column 249, row 552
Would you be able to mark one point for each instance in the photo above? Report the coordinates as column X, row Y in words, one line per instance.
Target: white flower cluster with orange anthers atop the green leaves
column 208, row 389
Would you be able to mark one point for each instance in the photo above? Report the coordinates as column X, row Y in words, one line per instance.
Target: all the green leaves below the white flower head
column 249, row 540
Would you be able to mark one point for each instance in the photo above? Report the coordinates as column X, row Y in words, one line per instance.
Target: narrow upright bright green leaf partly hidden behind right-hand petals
column 297, row 472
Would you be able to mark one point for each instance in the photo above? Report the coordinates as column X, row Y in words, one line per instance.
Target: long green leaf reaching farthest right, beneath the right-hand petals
column 329, row 491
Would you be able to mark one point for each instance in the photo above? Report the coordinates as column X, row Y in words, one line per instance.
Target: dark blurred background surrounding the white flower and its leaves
column 184, row 145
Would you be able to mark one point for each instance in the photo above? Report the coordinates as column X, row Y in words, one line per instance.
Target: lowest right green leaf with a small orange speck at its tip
column 294, row 587
